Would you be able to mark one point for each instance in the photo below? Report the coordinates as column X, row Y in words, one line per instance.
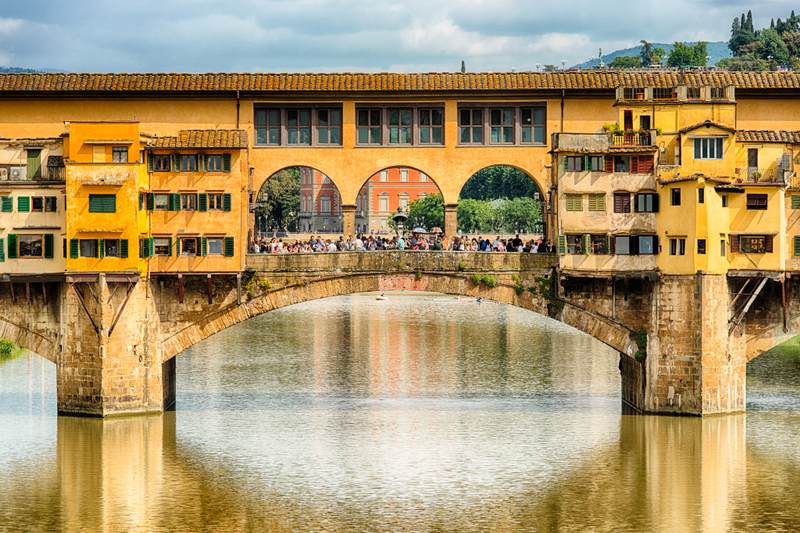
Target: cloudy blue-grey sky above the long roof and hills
column 354, row 35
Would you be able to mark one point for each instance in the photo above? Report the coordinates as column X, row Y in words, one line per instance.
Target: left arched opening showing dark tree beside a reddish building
column 298, row 200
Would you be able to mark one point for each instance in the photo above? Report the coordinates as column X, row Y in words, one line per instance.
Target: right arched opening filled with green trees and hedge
column 501, row 200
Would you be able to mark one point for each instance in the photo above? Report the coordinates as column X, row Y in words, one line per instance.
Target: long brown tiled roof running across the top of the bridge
column 378, row 82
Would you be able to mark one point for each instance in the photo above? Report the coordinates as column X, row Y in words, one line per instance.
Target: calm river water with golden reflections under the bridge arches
column 417, row 413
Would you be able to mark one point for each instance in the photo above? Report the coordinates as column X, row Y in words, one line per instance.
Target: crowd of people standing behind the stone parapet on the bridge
column 416, row 242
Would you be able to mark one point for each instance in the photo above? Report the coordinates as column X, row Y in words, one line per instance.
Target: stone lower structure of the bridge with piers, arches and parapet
column 684, row 341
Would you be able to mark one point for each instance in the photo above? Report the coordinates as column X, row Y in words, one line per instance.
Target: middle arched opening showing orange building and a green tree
column 395, row 189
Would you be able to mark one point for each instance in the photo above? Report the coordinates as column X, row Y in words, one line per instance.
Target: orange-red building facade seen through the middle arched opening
column 385, row 191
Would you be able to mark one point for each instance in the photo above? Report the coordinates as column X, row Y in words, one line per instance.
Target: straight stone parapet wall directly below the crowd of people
column 401, row 261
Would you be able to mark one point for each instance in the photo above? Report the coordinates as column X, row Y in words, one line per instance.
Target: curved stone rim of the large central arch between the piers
column 607, row 331
